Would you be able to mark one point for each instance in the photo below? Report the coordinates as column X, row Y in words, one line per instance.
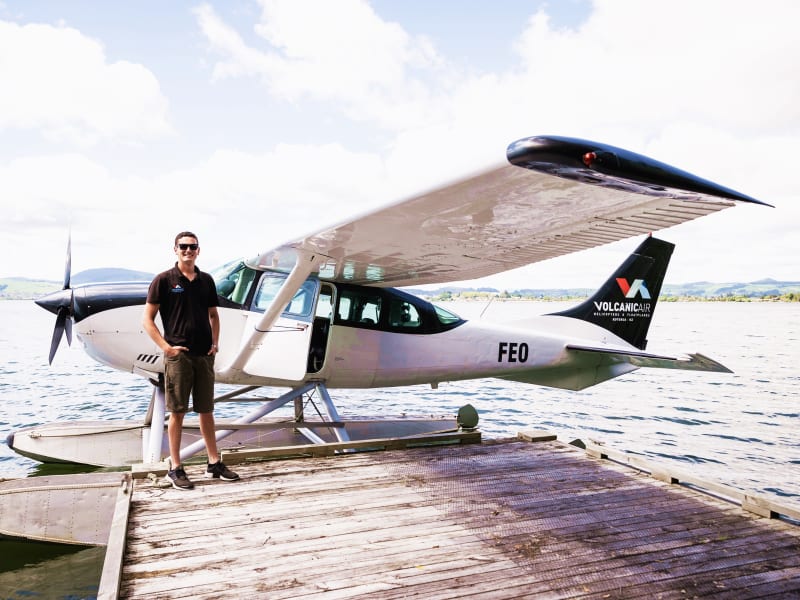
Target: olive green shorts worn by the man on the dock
column 185, row 374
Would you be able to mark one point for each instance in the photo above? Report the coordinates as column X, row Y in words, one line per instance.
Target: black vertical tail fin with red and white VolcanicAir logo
column 624, row 304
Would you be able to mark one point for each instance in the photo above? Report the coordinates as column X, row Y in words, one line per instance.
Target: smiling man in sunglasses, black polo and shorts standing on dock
column 187, row 300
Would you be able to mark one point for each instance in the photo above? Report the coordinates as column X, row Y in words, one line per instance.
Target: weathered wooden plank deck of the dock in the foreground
column 507, row 519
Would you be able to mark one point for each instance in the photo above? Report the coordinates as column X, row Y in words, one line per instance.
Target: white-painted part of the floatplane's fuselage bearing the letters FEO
column 361, row 356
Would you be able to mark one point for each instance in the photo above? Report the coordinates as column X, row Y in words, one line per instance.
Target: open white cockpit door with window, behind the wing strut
column 284, row 351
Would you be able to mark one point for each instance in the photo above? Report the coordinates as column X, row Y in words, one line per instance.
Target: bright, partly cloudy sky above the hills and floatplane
column 255, row 122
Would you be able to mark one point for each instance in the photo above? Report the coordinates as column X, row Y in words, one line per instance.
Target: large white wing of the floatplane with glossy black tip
column 553, row 197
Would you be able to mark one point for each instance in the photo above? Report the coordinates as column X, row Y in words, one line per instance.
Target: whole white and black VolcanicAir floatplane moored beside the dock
column 326, row 311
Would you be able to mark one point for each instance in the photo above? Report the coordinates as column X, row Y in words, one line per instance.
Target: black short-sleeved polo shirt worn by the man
column 183, row 306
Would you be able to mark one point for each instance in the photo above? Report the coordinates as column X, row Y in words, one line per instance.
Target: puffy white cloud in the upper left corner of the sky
column 57, row 81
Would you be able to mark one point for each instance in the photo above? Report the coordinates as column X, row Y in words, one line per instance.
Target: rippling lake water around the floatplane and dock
column 739, row 429
